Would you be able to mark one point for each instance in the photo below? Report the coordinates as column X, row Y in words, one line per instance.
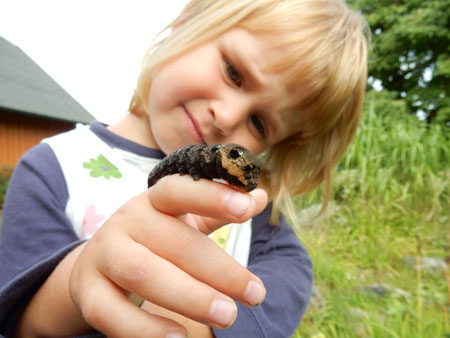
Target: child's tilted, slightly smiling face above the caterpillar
column 220, row 93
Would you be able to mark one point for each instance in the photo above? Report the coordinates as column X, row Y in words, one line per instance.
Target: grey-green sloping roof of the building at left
column 26, row 88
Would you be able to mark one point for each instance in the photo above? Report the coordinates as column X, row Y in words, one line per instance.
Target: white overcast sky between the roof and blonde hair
column 92, row 48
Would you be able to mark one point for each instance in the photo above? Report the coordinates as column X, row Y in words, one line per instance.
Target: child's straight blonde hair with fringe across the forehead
column 325, row 48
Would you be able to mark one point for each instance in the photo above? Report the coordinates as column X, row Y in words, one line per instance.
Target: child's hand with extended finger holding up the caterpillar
column 147, row 248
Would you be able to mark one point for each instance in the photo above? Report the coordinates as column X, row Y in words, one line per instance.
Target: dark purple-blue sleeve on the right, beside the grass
column 285, row 267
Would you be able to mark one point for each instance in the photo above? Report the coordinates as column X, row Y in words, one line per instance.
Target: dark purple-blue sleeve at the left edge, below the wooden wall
column 35, row 232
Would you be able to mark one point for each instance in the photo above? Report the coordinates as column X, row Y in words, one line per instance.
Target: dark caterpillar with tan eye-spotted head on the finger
column 231, row 162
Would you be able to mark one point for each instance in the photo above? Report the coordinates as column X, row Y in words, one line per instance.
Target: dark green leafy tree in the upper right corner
column 411, row 53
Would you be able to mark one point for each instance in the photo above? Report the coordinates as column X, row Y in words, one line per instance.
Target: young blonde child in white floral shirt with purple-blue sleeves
column 284, row 78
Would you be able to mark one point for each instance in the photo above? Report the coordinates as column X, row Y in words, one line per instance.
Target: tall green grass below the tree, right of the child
column 390, row 200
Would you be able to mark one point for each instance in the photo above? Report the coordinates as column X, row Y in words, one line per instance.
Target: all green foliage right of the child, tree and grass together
column 390, row 208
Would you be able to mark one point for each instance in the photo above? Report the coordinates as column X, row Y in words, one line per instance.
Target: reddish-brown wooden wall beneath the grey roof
column 19, row 132
